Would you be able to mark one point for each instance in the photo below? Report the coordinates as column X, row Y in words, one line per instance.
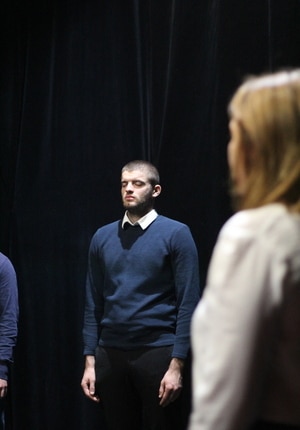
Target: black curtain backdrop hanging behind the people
column 87, row 86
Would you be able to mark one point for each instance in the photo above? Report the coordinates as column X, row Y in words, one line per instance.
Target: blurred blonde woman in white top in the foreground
column 246, row 329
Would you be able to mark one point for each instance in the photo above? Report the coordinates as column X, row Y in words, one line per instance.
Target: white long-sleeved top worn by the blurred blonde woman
column 246, row 328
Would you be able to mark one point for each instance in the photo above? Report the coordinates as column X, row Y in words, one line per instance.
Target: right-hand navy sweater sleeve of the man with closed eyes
column 186, row 272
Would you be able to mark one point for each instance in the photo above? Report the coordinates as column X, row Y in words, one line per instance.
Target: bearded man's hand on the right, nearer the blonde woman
column 171, row 384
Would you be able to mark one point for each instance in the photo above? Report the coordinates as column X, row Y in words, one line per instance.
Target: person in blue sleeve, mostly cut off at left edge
column 8, row 325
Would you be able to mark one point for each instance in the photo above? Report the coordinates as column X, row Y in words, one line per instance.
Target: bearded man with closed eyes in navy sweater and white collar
column 142, row 288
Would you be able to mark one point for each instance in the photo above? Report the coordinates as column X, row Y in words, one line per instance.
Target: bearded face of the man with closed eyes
column 137, row 192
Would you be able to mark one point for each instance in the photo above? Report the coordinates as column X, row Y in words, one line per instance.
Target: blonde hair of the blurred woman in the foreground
column 267, row 109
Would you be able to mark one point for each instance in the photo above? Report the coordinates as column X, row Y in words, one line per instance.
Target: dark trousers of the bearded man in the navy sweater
column 128, row 384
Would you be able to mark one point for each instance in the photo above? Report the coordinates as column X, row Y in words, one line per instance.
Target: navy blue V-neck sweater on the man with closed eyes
column 142, row 287
